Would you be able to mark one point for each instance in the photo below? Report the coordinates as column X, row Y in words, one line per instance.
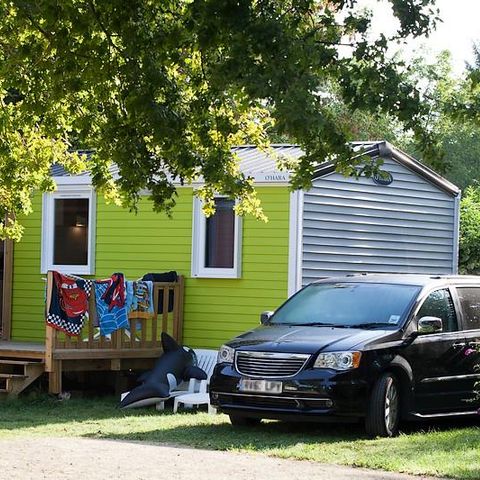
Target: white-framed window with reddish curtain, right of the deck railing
column 216, row 249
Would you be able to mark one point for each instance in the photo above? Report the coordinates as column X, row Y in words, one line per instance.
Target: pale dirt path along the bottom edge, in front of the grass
column 39, row 458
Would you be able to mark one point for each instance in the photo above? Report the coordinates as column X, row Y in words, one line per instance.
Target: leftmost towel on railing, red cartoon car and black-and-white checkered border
column 69, row 303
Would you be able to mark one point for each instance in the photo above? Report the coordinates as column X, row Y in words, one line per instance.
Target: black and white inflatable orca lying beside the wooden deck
column 174, row 366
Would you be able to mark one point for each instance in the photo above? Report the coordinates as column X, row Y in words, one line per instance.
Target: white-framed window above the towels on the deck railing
column 68, row 230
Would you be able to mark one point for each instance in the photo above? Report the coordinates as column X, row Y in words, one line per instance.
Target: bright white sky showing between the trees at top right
column 460, row 27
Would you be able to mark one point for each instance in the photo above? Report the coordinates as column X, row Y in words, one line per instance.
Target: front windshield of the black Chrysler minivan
column 346, row 304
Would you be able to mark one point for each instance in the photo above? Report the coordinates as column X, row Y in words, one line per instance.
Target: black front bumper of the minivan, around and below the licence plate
column 312, row 394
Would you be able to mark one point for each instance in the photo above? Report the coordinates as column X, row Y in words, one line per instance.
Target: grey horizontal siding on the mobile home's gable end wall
column 352, row 226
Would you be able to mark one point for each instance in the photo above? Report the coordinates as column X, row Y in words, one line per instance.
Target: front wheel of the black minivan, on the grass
column 383, row 415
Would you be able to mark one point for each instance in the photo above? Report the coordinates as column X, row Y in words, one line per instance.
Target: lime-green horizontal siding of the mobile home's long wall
column 215, row 309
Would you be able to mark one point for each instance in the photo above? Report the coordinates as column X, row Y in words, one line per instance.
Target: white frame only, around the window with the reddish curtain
column 198, row 247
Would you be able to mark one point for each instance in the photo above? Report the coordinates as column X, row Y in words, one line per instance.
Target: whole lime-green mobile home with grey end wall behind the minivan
column 235, row 268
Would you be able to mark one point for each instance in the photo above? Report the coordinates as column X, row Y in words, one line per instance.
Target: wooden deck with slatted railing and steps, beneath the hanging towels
column 136, row 347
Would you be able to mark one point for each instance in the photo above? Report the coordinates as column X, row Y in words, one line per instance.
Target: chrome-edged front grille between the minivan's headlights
column 269, row 365
